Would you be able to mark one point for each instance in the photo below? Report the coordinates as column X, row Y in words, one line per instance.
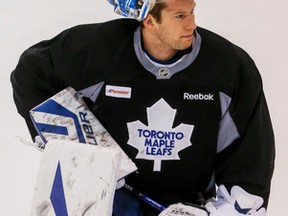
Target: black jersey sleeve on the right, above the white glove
column 249, row 160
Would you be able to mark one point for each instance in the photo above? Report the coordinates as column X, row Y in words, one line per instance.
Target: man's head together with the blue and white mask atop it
column 167, row 25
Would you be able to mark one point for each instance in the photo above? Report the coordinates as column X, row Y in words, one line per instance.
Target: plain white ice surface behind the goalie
column 258, row 26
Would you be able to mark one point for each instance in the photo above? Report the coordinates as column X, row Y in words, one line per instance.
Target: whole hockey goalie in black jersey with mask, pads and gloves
column 146, row 115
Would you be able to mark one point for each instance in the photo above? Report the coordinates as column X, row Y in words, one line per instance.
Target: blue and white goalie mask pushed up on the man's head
column 137, row 9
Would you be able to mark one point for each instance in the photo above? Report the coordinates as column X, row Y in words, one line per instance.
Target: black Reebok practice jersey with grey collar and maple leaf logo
column 197, row 122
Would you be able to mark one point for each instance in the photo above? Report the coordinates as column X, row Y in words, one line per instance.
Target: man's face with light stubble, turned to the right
column 177, row 24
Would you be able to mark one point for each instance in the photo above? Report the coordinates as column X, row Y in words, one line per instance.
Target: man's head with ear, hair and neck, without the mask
column 169, row 27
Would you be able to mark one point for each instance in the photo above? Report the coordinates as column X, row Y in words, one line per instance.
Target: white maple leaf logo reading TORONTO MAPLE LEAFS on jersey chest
column 159, row 141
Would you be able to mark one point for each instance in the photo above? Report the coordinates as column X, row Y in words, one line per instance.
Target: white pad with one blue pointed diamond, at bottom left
column 71, row 180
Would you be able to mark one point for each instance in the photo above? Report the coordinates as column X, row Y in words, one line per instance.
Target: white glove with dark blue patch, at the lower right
column 238, row 203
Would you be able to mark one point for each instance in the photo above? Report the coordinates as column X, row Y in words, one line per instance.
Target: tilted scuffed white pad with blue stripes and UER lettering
column 65, row 116
